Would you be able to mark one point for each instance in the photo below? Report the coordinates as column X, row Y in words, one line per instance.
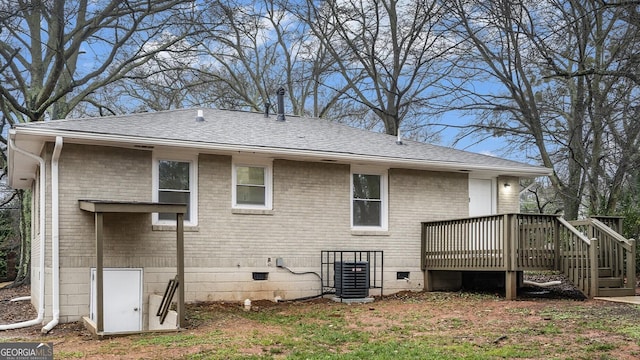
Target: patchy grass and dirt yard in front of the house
column 404, row 326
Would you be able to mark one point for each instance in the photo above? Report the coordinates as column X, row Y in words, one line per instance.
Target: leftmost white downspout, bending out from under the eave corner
column 43, row 245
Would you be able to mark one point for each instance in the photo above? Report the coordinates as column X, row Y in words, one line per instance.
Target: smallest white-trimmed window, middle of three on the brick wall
column 252, row 185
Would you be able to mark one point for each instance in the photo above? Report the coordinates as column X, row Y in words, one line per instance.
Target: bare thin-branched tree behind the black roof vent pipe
column 259, row 47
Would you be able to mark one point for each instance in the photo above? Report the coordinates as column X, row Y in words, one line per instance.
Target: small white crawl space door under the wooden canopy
column 122, row 304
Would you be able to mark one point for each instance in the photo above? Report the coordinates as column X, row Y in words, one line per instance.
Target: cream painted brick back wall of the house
column 311, row 213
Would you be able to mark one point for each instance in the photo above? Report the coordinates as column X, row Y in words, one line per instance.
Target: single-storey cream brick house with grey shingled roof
column 265, row 197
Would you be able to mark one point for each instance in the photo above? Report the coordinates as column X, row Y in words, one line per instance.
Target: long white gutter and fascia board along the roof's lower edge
column 286, row 153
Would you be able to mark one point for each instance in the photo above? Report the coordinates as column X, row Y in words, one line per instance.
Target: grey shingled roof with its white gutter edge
column 309, row 138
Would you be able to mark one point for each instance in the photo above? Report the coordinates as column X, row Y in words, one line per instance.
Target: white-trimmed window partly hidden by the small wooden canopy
column 174, row 181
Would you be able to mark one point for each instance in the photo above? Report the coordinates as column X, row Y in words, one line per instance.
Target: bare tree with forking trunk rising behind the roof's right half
column 388, row 53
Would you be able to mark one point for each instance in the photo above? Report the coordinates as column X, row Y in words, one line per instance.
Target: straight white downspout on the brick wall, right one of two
column 55, row 237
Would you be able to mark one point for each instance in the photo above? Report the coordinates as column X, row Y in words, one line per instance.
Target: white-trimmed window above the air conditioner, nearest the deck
column 369, row 199
